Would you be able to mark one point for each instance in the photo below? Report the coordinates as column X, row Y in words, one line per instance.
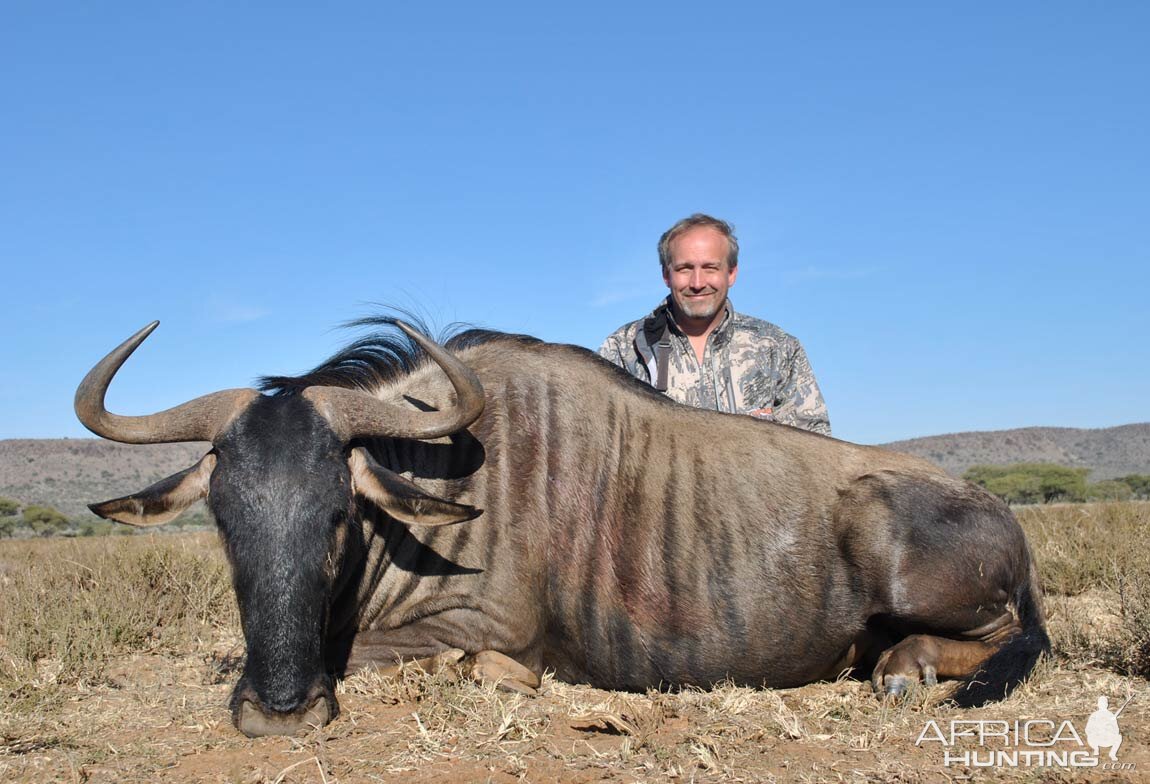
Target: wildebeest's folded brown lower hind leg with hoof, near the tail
column 926, row 658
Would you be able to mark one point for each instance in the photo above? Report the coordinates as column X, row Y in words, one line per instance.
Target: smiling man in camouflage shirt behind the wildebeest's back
column 699, row 351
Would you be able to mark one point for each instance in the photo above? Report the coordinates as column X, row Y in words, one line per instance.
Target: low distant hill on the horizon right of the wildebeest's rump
column 1108, row 452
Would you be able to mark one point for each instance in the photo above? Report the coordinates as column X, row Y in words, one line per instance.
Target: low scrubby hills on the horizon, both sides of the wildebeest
column 72, row 473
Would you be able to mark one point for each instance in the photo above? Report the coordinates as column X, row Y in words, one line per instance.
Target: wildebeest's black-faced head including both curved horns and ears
column 282, row 481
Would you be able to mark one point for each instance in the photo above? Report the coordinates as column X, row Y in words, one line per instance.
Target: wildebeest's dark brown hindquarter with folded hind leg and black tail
column 953, row 586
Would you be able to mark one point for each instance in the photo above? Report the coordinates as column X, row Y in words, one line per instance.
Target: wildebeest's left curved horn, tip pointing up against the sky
column 200, row 420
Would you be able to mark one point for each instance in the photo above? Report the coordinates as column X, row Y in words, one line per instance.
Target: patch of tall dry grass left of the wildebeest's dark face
column 71, row 606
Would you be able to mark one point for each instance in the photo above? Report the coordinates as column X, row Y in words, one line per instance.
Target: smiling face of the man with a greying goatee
column 699, row 276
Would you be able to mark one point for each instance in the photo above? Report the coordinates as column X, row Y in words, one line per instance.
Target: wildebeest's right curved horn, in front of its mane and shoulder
column 356, row 414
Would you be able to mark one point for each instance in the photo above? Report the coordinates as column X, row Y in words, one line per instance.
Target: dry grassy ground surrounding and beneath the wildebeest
column 118, row 657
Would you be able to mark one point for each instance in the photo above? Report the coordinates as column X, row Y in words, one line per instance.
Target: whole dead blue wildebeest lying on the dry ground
column 512, row 506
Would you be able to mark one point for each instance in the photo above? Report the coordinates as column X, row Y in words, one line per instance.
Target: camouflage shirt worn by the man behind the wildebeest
column 749, row 367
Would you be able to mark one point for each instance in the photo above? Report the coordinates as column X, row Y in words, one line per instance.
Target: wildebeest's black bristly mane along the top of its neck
column 385, row 356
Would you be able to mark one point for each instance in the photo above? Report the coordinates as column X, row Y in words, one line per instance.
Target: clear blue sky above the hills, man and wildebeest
column 949, row 204
